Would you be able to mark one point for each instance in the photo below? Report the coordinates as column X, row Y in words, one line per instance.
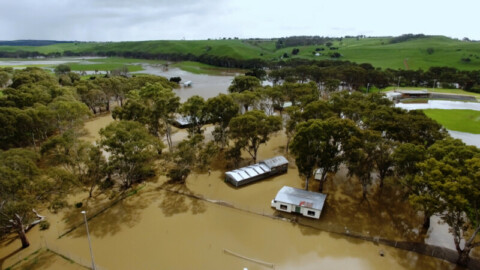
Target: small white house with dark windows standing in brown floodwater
column 307, row 203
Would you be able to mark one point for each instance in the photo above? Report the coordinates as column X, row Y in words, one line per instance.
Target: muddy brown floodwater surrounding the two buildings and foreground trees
column 160, row 229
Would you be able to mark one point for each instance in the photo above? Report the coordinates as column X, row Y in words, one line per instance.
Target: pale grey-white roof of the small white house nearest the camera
column 300, row 197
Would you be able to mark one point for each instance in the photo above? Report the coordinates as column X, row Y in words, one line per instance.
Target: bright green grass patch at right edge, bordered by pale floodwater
column 458, row 120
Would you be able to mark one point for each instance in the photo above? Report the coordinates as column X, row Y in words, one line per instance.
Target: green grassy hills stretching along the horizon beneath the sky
column 417, row 53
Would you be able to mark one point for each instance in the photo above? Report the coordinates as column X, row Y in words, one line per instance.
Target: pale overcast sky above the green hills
column 122, row 20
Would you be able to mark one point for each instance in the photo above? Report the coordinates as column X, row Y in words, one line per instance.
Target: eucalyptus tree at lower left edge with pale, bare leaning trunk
column 24, row 187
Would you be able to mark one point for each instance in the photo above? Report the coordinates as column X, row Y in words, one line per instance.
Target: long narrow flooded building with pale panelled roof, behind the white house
column 255, row 172
